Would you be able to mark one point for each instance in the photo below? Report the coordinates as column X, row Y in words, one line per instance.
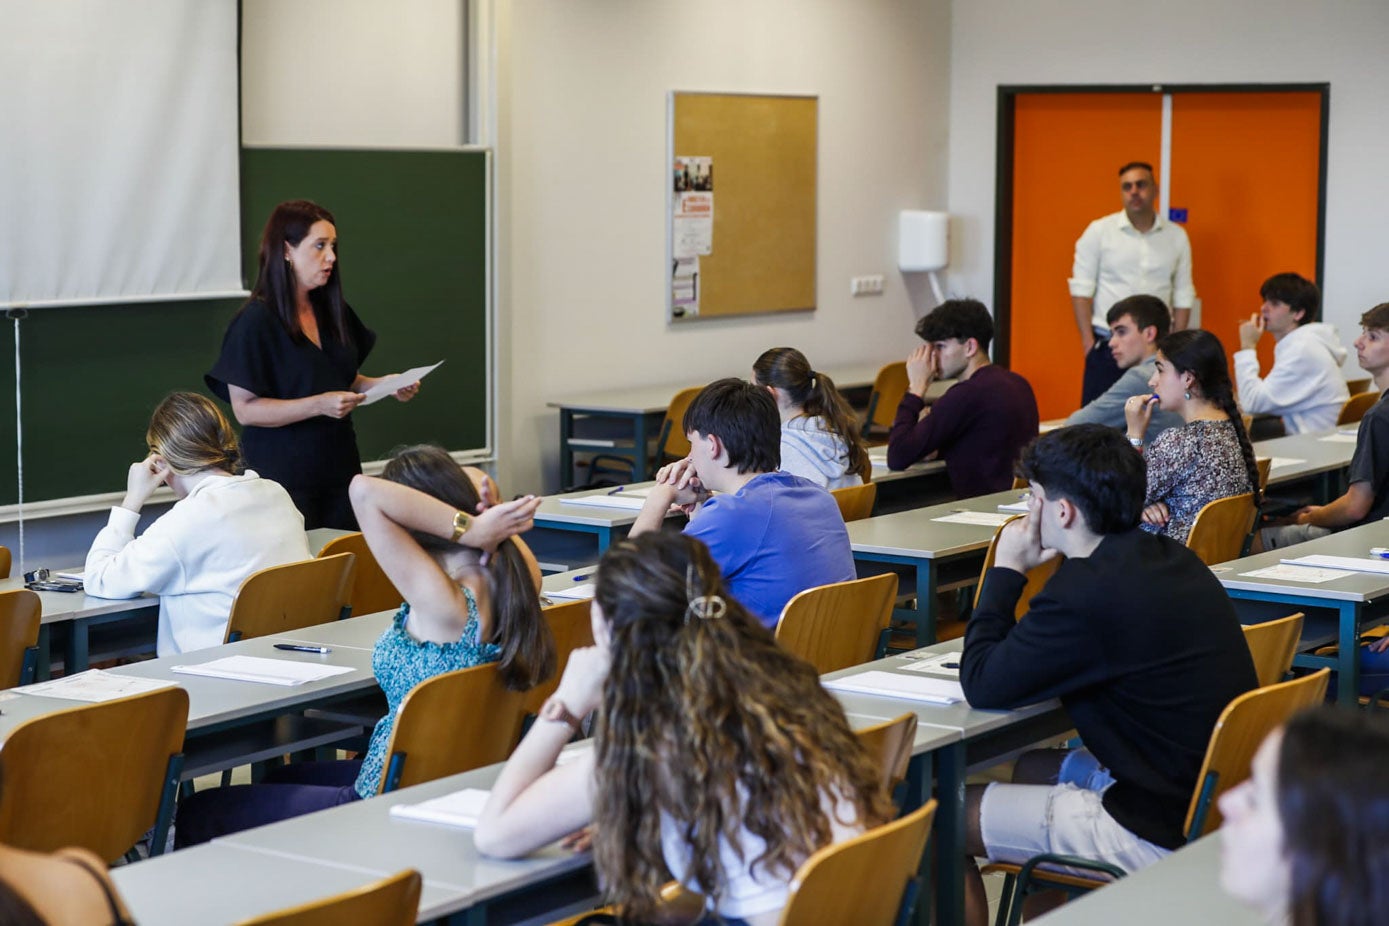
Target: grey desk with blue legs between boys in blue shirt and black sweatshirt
column 933, row 549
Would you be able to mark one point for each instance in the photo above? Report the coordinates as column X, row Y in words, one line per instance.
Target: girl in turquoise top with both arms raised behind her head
column 470, row 600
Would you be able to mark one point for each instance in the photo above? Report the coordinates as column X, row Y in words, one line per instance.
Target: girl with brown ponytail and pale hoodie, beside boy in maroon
column 820, row 434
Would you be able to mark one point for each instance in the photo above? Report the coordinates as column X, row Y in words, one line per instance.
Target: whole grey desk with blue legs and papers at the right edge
column 1358, row 600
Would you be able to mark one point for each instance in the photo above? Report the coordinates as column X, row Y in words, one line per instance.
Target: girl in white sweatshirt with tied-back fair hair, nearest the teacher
column 226, row 525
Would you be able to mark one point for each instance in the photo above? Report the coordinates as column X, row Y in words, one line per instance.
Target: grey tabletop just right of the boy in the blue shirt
column 919, row 535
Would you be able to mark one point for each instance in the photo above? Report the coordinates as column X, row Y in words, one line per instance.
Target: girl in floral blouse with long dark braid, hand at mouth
column 1211, row 456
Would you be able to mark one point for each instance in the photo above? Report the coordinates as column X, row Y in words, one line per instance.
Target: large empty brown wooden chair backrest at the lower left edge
column 98, row 775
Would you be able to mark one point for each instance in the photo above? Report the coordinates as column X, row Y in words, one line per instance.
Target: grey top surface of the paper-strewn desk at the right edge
column 1351, row 587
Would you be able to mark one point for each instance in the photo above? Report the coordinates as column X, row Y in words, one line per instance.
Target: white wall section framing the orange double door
column 1183, row 42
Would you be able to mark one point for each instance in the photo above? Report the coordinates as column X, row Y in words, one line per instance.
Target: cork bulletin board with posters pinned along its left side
column 741, row 235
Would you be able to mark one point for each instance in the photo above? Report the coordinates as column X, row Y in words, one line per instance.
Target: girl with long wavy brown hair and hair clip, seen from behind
column 719, row 757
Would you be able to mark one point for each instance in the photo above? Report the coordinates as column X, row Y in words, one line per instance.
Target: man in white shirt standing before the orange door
column 1131, row 252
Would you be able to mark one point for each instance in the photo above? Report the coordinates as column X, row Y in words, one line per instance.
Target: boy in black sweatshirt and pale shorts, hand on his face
column 1142, row 675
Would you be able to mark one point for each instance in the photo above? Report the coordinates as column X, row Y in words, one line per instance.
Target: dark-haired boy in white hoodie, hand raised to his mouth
column 1306, row 385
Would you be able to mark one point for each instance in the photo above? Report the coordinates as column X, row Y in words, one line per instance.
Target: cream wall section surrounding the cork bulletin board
column 583, row 142
